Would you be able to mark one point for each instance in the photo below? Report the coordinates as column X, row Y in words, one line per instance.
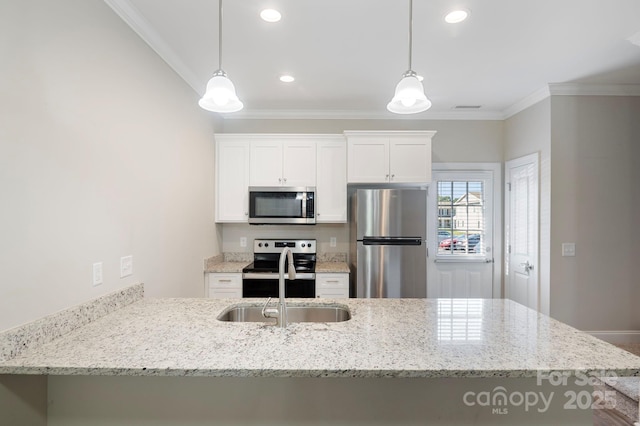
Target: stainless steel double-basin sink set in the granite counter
column 295, row 313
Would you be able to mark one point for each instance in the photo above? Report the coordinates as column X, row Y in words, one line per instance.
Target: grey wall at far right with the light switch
column 595, row 198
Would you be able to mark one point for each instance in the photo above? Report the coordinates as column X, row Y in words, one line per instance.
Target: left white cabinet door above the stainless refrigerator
column 368, row 159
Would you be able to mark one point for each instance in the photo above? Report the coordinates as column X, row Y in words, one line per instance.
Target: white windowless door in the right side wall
column 521, row 231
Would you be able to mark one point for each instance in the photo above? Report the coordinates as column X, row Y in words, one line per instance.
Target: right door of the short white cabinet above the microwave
column 299, row 163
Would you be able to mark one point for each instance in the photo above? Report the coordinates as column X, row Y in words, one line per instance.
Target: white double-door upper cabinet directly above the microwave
column 282, row 160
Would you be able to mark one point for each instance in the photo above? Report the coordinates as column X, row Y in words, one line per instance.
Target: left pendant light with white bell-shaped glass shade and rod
column 221, row 93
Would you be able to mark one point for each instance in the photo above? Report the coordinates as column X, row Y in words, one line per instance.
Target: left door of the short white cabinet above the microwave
column 266, row 163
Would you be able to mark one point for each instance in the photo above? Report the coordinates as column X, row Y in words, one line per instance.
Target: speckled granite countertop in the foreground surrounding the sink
column 384, row 338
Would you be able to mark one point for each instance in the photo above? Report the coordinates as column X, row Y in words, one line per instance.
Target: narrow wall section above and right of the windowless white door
column 526, row 133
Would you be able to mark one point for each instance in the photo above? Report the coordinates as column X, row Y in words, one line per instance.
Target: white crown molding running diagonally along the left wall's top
column 132, row 17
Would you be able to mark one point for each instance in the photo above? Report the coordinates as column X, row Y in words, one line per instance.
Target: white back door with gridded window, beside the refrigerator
column 461, row 234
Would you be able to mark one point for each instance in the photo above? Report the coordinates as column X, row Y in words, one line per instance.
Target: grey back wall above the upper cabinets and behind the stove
column 456, row 141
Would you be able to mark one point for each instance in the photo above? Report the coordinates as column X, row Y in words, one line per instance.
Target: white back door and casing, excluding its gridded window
column 473, row 275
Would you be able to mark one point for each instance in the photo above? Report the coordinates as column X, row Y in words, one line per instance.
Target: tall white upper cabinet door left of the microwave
column 232, row 180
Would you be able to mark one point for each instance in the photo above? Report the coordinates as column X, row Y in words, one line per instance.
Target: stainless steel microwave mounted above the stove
column 276, row 205
